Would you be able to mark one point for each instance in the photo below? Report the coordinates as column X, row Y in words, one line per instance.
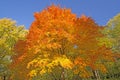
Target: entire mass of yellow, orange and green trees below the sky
column 60, row 46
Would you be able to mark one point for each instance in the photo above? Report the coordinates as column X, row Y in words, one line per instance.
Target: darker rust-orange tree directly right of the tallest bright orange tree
column 91, row 45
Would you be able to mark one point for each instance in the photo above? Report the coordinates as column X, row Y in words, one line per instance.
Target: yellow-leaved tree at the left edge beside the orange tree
column 10, row 33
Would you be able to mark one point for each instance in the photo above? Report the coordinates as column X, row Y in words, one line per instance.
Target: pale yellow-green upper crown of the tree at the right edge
column 114, row 32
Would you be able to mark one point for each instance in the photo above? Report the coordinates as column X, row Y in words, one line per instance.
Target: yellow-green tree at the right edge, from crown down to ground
column 112, row 32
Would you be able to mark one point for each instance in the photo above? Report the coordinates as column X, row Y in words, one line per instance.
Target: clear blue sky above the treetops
column 22, row 10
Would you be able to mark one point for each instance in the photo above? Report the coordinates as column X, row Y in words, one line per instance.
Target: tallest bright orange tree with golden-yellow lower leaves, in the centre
column 49, row 41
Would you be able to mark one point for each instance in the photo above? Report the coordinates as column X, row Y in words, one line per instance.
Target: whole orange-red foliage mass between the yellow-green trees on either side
column 58, row 40
